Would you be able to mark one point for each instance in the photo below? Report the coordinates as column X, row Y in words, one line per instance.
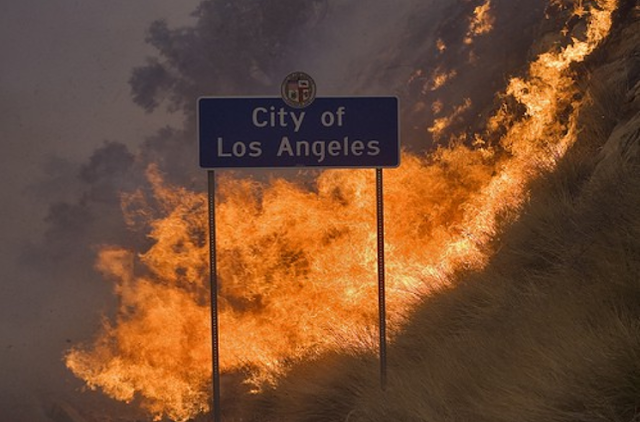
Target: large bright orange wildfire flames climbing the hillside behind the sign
column 298, row 265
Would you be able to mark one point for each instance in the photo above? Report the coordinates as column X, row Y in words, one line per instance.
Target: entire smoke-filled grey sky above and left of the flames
column 64, row 91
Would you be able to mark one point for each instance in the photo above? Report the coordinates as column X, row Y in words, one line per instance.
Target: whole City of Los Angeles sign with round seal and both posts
column 297, row 130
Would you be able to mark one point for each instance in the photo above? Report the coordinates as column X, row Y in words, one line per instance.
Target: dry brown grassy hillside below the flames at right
column 550, row 331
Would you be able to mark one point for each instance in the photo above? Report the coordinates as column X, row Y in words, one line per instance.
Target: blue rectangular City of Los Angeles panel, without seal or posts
column 266, row 133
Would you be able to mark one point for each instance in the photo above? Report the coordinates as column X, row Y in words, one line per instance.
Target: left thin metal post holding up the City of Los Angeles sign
column 213, row 277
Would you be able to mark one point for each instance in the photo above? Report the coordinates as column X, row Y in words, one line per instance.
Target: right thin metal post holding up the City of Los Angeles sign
column 382, row 323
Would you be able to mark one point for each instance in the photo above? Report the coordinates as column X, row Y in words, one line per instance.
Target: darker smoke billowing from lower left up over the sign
column 243, row 47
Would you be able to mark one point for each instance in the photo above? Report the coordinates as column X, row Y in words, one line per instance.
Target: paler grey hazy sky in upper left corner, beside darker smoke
column 63, row 84
